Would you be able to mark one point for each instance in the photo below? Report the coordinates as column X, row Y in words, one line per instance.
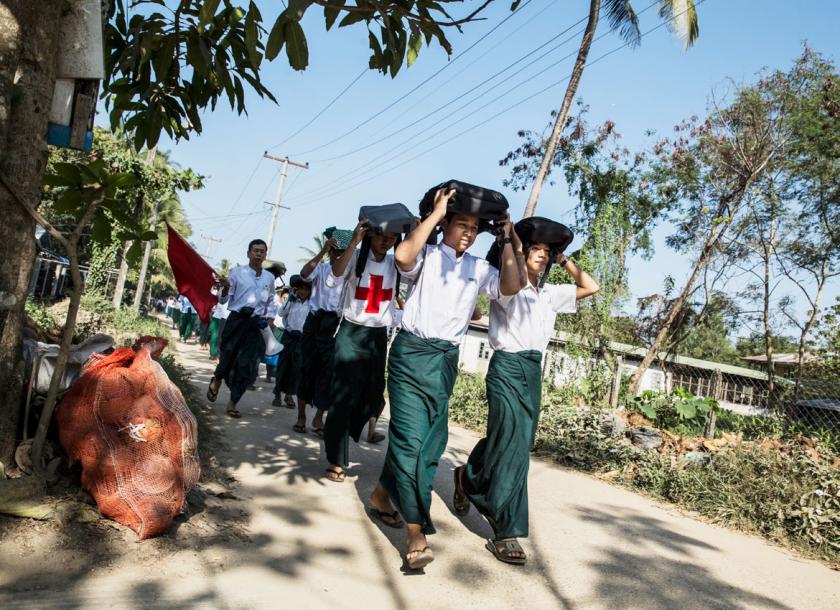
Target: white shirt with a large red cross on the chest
column 369, row 300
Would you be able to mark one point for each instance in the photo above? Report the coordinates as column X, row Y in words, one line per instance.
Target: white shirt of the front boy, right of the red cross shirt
column 446, row 287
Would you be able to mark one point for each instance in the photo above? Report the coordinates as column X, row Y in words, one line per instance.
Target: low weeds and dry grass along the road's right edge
column 787, row 491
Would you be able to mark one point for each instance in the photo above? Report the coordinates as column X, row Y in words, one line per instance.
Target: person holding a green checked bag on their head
column 318, row 340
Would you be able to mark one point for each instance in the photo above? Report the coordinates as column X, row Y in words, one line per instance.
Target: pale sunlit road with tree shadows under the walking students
column 593, row 545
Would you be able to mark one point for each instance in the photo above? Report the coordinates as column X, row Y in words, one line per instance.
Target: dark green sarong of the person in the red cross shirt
column 358, row 387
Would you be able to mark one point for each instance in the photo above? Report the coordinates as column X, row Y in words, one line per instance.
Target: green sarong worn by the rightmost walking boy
column 496, row 476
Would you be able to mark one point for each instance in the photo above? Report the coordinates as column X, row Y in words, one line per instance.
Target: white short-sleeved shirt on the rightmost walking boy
column 525, row 320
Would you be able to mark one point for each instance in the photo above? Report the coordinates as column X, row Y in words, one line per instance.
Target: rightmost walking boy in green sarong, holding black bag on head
column 495, row 478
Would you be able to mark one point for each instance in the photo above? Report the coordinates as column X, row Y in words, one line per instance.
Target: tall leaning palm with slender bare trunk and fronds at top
column 682, row 16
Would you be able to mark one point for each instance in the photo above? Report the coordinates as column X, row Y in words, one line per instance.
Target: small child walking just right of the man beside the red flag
column 293, row 314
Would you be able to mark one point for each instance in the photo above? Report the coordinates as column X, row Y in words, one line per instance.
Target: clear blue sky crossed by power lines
column 651, row 87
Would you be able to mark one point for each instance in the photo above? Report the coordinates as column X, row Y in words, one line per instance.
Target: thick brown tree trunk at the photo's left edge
column 28, row 54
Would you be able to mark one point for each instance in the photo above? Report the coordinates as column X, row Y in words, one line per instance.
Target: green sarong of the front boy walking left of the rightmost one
column 421, row 375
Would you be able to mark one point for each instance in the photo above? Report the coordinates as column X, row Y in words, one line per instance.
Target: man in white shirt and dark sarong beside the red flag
column 249, row 294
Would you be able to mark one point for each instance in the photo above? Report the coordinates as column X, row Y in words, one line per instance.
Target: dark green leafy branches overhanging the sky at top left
column 170, row 60
